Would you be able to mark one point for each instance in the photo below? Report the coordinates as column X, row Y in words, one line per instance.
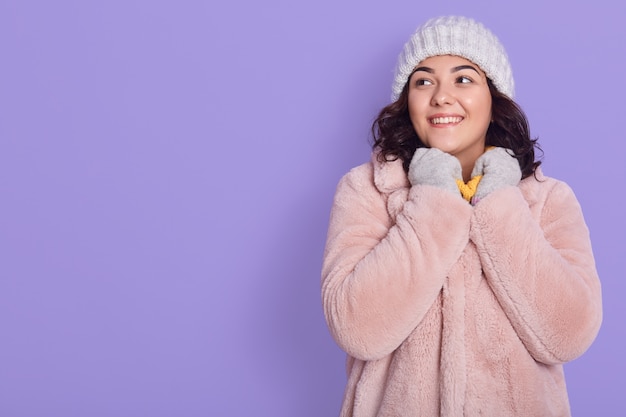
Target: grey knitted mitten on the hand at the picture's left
column 431, row 166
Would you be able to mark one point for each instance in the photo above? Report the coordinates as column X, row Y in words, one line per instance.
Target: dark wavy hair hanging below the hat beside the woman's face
column 395, row 138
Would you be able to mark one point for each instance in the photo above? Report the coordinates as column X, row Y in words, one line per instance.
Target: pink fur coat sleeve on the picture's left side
column 380, row 276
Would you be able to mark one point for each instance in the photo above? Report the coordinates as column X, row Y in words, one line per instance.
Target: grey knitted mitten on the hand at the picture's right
column 499, row 168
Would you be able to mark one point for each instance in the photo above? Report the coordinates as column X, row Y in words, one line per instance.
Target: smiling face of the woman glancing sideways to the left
column 450, row 106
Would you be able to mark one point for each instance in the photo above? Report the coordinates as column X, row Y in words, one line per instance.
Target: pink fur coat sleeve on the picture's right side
column 542, row 270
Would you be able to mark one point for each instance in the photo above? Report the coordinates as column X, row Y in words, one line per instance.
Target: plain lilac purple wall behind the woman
column 166, row 172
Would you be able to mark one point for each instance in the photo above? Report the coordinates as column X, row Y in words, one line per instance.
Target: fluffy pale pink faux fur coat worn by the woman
column 448, row 309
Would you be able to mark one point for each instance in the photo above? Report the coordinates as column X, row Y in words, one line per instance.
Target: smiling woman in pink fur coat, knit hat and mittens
column 457, row 277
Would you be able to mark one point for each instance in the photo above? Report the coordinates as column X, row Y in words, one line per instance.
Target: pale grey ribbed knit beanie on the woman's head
column 455, row 35
